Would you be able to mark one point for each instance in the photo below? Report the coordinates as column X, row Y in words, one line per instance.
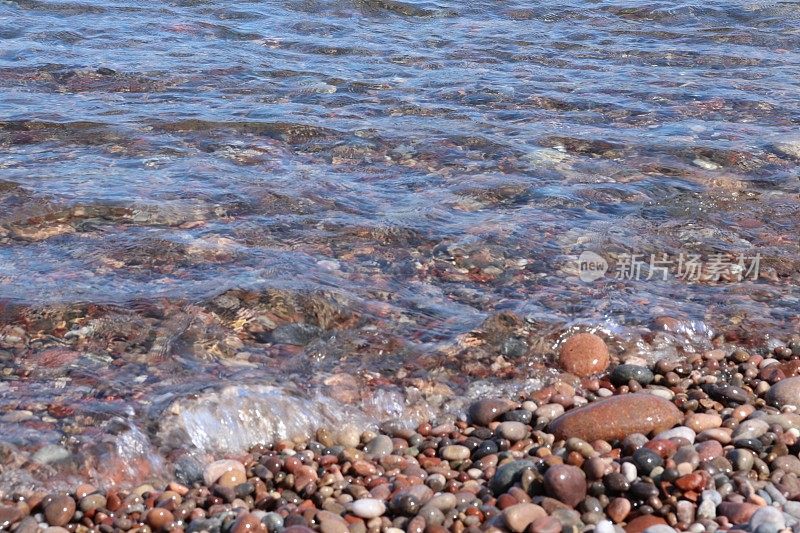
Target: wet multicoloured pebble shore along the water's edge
column 707, row 444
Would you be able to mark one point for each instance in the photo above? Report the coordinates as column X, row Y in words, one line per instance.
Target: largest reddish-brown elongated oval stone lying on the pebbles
column 617, row 417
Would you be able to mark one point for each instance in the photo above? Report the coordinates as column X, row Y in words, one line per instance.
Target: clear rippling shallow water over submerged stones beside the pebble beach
column 366, row 202
